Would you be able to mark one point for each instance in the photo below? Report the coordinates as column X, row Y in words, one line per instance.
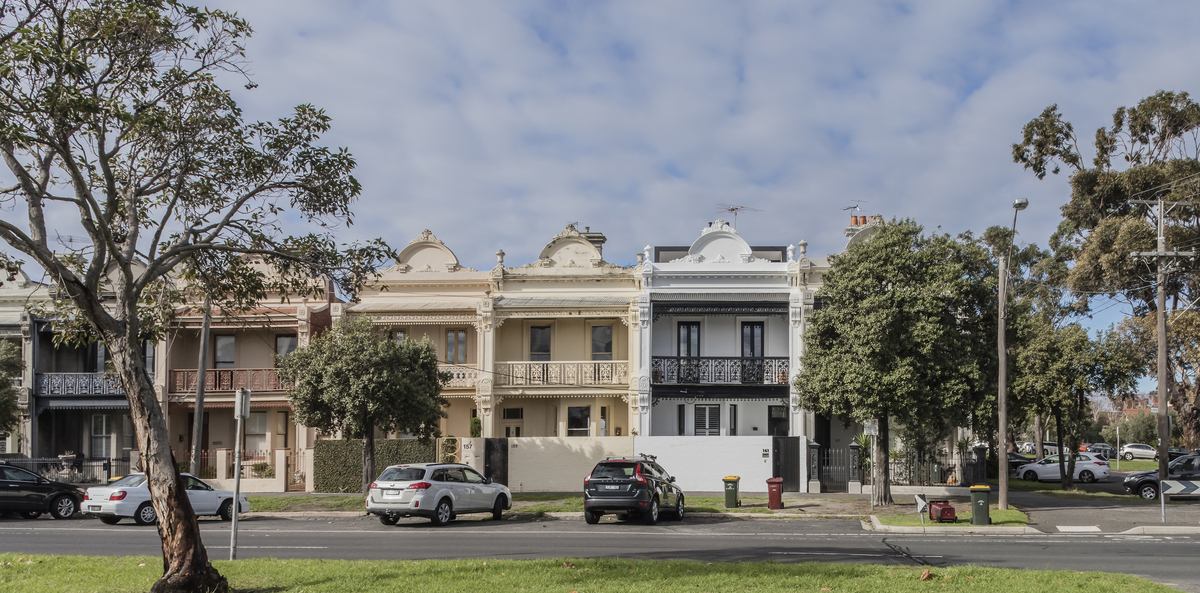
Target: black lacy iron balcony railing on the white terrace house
column 719, row 370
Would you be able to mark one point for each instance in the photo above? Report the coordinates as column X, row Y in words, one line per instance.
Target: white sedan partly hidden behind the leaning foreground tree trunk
column 130, row 498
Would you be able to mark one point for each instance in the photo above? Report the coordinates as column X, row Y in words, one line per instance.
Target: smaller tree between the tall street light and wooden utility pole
column 1061, row 369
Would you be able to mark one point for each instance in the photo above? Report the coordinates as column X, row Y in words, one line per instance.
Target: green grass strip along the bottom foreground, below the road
column 55, row 574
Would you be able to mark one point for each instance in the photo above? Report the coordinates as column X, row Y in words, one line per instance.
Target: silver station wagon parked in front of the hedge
column 439, row 492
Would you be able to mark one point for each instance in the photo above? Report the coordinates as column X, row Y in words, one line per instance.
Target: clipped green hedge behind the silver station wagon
column 338, row 465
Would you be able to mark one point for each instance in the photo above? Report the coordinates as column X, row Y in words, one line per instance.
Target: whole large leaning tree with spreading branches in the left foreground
column 111, row 115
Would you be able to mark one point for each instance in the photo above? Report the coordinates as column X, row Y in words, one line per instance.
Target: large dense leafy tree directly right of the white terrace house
column 904, row 337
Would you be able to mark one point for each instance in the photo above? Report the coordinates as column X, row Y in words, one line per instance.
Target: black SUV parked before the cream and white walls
column 631, row 487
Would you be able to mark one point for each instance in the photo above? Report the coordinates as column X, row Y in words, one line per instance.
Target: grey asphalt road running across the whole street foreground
column 1168, row 560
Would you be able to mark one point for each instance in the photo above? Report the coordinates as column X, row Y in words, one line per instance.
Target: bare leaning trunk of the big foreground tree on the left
column 185, row 562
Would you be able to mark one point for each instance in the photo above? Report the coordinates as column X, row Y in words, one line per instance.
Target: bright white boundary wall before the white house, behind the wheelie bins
column 699, row 464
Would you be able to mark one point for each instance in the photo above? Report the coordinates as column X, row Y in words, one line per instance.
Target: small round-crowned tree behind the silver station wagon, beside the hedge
column 355, row 380
